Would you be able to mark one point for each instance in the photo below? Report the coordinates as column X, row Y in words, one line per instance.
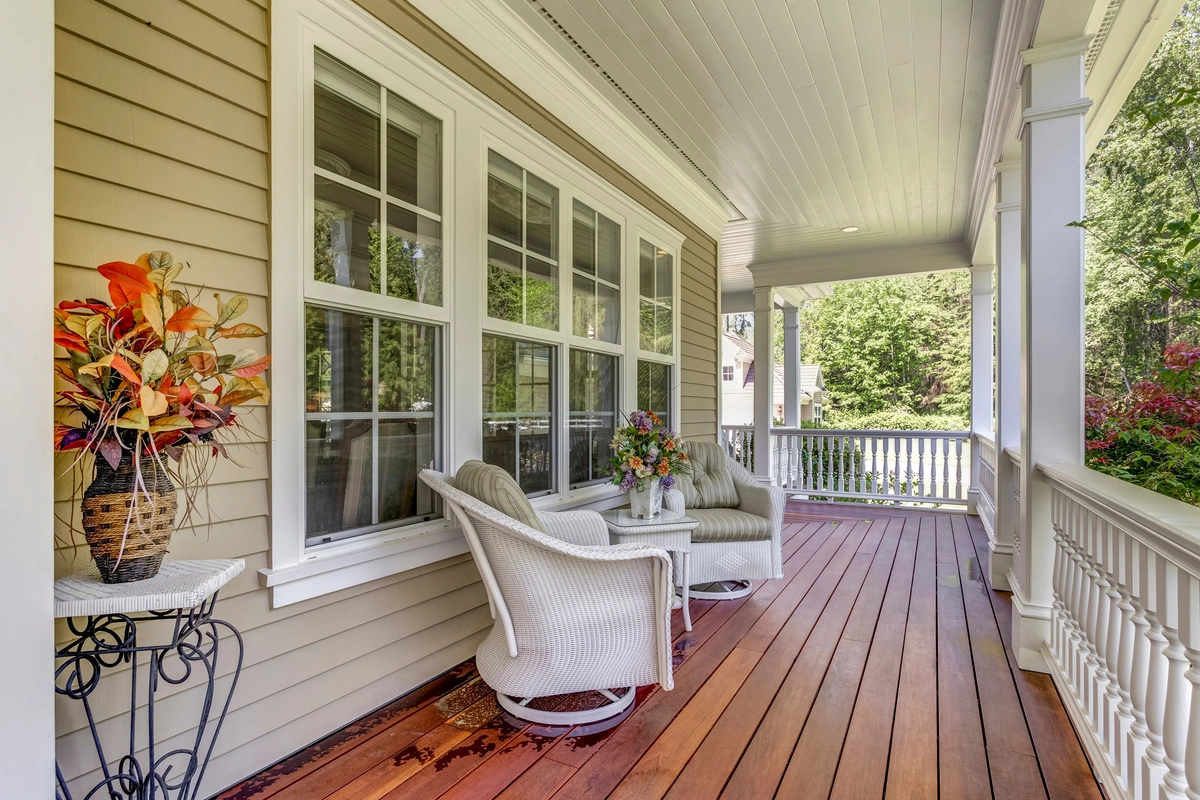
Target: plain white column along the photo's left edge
column 27, row 473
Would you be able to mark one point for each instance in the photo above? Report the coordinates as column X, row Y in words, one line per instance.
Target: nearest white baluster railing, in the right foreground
column 1125, row 643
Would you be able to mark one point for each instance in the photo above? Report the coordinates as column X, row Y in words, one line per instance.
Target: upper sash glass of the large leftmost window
column 351, row 212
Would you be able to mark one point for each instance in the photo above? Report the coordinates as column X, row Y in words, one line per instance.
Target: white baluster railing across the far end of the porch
column 911, row 467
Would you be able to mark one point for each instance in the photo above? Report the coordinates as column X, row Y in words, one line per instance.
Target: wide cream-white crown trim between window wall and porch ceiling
column 506, row 41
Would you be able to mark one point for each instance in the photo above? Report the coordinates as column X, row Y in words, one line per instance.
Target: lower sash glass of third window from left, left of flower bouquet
column 593, row 422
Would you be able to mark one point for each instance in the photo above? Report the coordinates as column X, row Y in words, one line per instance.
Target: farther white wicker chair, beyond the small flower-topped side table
column 724, row 569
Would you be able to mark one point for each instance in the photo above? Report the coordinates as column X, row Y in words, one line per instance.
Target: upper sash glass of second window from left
column 523, row 252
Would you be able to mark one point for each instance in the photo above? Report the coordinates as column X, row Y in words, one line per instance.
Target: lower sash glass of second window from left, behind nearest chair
column 519, row 417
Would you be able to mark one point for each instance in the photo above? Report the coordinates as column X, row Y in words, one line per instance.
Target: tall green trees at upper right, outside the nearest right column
column 1142, row 291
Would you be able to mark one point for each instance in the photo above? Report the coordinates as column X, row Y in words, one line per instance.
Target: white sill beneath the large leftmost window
column 341, row 566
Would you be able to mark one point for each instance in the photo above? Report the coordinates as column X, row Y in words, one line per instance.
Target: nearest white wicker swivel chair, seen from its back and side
column 573, row 613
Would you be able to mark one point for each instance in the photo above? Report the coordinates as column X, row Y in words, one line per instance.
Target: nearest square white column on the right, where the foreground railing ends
column 1053, row 369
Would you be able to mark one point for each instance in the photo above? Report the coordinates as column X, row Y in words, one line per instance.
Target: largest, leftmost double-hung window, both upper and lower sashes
column 373, row 366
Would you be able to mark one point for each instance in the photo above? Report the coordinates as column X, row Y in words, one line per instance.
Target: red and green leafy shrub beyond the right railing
column 1153, row 436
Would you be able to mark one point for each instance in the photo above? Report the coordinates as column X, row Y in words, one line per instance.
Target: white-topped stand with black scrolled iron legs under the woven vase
column 181, row 640
